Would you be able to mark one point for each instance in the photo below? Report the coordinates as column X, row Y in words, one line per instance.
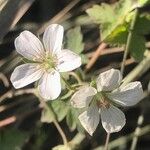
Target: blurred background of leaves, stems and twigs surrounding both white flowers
column 105, row 34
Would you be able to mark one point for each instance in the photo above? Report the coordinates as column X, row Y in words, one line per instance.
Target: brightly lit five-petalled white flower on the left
column 47, row 61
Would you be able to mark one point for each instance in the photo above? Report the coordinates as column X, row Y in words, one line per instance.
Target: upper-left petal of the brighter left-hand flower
column 29, row 46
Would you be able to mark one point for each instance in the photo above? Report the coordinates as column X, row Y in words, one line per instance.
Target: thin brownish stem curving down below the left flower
column 61, row 132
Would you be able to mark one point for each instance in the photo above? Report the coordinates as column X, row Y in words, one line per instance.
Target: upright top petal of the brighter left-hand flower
column 53, row 37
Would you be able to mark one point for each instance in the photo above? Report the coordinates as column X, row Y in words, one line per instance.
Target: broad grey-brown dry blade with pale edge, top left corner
column 11, row 14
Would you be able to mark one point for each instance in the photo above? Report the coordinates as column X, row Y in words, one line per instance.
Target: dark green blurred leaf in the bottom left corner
column 12, row 139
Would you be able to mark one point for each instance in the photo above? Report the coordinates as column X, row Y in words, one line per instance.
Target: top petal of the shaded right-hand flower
column 109, row 80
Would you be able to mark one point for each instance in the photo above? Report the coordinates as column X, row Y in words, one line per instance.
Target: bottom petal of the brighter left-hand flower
column 49, row 85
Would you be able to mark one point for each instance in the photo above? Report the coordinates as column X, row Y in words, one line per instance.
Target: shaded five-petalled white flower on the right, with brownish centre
column 99, row 101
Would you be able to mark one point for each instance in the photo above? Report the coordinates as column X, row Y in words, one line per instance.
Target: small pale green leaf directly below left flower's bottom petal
column 60, row 108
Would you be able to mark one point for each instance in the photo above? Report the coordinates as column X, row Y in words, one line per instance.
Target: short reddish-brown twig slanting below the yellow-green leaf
column 97, row 53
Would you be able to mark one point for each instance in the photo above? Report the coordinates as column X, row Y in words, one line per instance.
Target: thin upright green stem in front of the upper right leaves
column 129, row 39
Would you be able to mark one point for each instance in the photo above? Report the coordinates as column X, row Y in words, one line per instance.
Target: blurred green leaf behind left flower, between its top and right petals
column 74, row 40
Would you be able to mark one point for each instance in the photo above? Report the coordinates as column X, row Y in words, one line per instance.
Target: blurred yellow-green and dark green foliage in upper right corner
column 115, row 21
